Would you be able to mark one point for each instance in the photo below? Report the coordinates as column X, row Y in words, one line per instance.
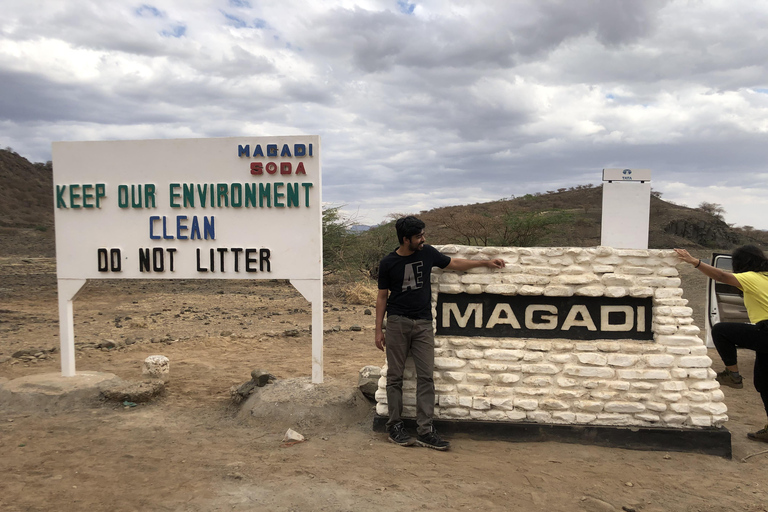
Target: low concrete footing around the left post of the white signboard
column 50, row 392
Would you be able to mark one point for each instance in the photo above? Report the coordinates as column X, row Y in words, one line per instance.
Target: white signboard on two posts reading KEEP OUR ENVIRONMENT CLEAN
column 229, row 208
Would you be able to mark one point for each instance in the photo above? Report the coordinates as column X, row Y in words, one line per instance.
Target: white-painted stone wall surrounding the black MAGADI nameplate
column 663, row 382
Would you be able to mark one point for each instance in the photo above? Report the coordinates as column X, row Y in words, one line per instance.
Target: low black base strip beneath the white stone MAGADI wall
column 708, row 441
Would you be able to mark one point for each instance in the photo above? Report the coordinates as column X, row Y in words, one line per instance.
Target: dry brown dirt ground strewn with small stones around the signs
column 188, row 451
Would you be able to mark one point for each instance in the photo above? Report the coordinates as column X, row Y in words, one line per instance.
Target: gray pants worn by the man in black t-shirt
column 403, row 336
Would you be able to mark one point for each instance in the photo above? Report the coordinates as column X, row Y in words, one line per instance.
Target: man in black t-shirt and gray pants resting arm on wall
column 405, row 294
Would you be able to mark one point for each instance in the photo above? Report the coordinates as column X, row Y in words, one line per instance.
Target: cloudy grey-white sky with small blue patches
column 419, row 104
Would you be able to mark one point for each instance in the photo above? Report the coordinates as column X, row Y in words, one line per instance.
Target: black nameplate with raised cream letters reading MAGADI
column 522, row 316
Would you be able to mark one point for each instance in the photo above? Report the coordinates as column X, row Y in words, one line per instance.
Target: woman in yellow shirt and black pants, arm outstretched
column 750, row 274
